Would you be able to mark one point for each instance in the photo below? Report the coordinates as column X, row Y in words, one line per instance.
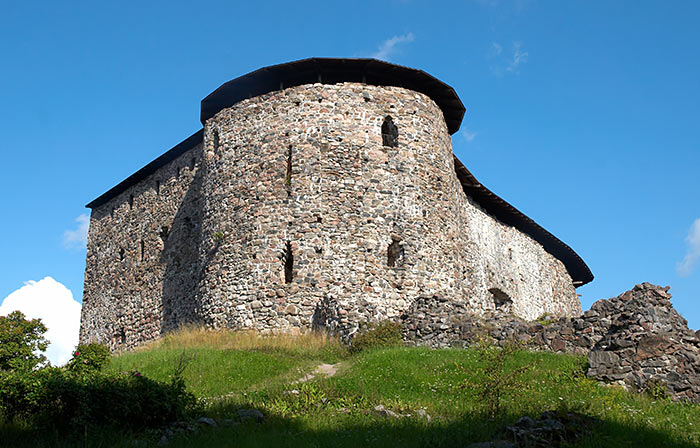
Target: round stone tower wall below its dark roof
column 328, row 204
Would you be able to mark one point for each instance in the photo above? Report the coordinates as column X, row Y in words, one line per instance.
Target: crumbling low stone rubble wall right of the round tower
column 637, row 338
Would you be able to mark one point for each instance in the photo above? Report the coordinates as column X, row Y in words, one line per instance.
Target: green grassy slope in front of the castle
column 233, row 371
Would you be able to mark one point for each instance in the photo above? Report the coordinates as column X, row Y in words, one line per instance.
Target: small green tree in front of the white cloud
column 21, row 342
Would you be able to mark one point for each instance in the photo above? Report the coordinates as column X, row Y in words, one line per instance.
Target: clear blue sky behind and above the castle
column 582, row 114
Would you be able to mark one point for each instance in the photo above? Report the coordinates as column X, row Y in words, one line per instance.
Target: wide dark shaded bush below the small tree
column 60, row 399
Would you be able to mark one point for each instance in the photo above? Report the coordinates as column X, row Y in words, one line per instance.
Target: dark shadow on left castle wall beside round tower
column 180, row 256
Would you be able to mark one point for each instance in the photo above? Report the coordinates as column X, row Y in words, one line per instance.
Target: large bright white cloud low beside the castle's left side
column 53, row 303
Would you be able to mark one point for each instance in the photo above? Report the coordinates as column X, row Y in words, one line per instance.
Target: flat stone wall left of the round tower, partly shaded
column 142, row 257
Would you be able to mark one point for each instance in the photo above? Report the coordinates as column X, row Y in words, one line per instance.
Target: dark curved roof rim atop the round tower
column 332, row 71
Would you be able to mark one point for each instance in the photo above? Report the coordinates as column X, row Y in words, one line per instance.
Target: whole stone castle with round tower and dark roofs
column 319, row 193
